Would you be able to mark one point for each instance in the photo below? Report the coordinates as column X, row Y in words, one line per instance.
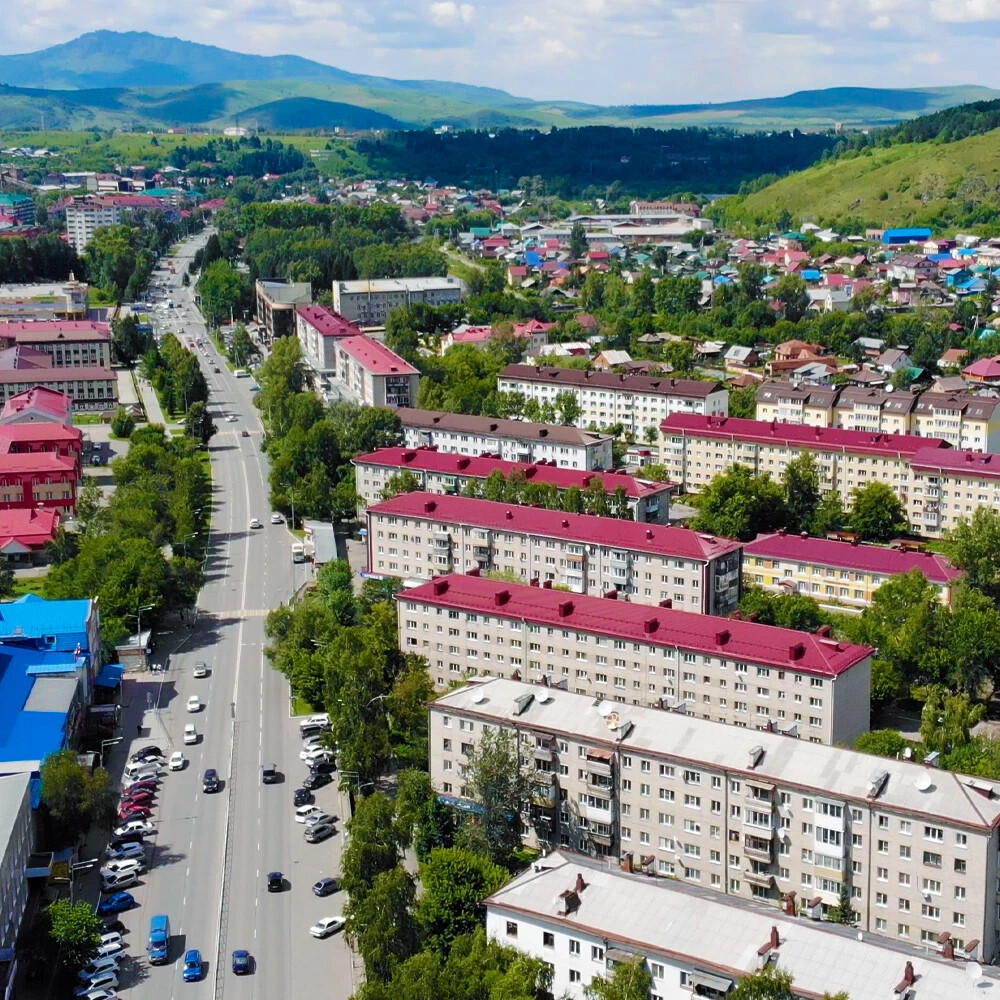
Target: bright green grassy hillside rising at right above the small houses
column 943, row 185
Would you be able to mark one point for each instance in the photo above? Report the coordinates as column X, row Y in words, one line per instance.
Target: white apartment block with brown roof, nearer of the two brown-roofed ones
column 511, row 440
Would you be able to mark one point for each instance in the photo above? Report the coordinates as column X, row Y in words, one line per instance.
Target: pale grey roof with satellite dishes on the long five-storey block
column 970, row 802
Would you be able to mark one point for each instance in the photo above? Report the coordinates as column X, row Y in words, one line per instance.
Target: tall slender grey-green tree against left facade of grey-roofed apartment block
column 500, row 785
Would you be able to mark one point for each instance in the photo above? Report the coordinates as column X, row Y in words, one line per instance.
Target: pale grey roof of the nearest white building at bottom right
column 663, row 917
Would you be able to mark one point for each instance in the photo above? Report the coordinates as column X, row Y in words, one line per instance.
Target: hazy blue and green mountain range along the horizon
column 139, row 80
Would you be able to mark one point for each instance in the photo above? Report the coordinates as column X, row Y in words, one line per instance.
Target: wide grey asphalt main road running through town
column 211, row 852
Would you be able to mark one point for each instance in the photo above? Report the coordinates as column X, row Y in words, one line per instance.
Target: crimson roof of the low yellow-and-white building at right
column 847, row 555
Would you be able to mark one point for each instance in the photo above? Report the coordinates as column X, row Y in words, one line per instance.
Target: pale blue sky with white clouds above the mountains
column 597, row 51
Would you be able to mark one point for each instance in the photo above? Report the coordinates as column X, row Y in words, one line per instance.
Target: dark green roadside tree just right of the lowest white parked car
column 382, row 923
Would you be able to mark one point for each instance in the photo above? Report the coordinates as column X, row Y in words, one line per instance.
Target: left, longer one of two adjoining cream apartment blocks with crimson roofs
column 695, row 449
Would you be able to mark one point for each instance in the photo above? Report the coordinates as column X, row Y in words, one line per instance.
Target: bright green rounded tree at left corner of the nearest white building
column 455, row 882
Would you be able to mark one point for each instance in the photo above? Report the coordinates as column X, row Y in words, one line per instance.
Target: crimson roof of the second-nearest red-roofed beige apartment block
column 536, row 521
